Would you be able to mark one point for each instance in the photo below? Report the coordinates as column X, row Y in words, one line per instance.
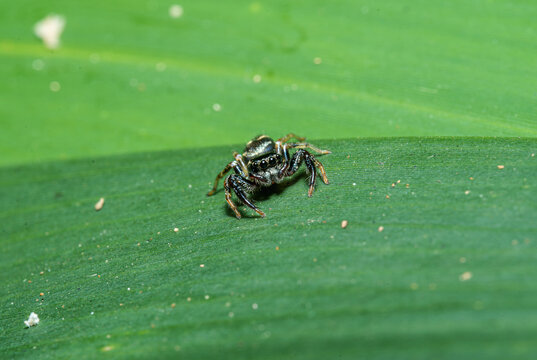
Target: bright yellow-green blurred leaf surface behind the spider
column 134, row 79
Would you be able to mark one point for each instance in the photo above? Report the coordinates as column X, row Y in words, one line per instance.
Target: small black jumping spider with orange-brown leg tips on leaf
column 265, row 162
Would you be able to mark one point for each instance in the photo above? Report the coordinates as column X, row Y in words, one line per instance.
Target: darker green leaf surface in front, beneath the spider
column 443, row 267
